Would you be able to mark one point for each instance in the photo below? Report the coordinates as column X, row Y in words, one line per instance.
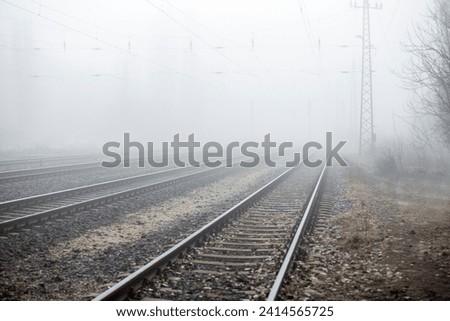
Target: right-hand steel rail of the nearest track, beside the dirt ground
column 300, row 230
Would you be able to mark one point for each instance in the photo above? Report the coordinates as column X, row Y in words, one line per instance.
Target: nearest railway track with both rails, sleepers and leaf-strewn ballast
column 245, row 253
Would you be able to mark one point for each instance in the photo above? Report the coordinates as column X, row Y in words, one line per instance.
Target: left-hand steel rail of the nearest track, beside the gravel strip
column 121, row 290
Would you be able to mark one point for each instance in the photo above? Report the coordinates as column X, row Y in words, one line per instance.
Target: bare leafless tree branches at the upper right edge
column 427, row 74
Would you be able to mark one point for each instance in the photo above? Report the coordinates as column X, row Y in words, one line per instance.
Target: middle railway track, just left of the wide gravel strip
column 25, row 211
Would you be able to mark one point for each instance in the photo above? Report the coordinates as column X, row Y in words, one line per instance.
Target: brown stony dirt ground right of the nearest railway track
column 388, row 239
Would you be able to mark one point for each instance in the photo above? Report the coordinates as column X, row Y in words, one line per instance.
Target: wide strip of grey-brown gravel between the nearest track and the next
column 76, row 257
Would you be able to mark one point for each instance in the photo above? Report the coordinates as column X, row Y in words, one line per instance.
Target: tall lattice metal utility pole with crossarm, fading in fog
column 366, row 134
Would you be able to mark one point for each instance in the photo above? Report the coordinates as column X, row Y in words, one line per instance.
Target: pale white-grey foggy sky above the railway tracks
column 76, row 74
